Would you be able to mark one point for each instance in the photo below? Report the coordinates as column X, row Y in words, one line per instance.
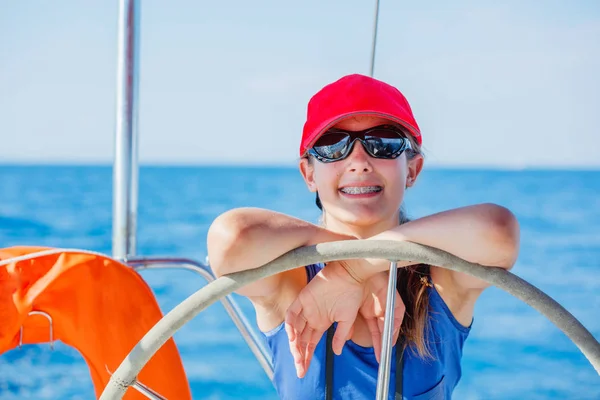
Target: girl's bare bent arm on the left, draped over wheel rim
column 246, row 238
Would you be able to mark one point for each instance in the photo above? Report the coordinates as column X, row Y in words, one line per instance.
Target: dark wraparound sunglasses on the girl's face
column 384, row 141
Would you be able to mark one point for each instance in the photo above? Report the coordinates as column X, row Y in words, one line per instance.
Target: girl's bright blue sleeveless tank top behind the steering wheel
column 355, row 370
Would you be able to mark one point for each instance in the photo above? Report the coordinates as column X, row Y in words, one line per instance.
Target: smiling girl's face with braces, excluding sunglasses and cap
column 360, row 194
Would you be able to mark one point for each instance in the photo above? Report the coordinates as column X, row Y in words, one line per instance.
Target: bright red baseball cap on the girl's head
column 355, row 95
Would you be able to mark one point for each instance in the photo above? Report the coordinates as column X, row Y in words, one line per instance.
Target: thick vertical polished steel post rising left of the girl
column 125, row 167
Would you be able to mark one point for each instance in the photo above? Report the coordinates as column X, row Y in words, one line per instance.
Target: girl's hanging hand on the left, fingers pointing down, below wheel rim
column 333, row 295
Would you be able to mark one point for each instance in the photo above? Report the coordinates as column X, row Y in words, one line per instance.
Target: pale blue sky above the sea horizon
column 499, row 85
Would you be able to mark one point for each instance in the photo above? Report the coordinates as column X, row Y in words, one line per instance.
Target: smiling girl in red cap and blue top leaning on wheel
column 360, row 151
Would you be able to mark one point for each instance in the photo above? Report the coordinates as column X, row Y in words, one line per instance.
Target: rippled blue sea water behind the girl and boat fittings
column 512, row 352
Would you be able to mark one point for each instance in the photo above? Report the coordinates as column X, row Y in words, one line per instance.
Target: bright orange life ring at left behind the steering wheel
column 98, row 305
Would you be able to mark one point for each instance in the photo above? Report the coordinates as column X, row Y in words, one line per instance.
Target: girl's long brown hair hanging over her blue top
column 412, row 287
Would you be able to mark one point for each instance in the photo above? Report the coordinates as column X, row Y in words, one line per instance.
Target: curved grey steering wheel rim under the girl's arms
column 126, row 373
